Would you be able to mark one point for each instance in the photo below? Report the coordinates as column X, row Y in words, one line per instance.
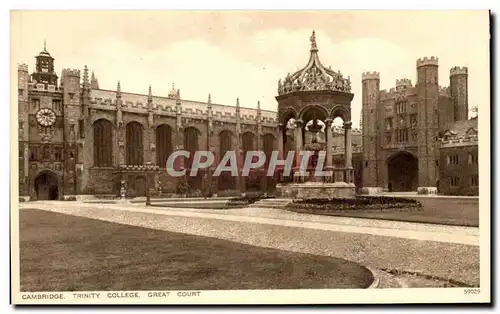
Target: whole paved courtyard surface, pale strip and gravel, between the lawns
column 401, row 254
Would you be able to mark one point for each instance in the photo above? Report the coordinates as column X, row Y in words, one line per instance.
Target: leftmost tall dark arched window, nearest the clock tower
column 103, row 143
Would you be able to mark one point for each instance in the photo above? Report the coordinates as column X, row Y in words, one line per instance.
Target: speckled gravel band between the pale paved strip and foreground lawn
column 452, row 261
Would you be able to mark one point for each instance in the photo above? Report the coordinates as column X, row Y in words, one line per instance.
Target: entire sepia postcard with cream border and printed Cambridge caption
column 250, row 157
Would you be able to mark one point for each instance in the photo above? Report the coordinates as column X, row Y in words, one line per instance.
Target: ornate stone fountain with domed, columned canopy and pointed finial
column 315, row 93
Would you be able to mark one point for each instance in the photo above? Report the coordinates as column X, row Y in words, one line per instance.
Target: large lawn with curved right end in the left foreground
column 67, row 253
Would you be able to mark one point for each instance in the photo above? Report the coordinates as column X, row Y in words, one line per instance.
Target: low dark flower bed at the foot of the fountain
column 360, row 203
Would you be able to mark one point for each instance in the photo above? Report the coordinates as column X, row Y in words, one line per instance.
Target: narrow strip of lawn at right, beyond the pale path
column 446, row 211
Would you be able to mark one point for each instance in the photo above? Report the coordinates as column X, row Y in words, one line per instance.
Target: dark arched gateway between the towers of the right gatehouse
column 403, row 172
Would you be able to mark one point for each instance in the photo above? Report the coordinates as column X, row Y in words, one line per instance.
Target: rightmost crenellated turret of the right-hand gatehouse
column 459, row 92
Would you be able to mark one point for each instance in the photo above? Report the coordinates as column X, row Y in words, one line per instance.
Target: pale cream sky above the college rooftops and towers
column 243, row 54
